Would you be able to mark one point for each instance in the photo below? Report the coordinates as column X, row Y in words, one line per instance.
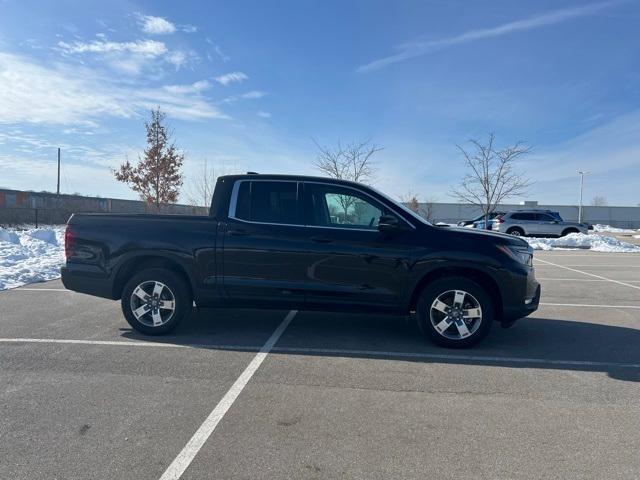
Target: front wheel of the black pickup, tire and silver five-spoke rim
column 453, row 334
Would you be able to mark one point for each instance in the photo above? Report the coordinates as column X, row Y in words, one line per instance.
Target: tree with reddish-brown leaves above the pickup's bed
column 157, row 176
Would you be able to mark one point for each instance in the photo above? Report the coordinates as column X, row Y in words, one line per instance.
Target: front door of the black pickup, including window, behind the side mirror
column 349, row 262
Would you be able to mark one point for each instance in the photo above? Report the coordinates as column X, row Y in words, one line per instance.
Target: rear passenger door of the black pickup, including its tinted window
column 263, row 241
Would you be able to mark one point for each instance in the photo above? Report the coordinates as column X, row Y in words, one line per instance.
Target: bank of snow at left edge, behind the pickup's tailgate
column 31, row 255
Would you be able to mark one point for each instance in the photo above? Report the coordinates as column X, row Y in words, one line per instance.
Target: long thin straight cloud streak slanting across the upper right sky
column 421, row 47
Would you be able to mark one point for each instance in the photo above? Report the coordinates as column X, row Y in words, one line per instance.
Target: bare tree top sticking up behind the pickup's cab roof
column 351, row 162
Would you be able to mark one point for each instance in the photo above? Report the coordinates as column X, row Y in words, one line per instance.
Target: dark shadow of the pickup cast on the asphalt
column 532, row 343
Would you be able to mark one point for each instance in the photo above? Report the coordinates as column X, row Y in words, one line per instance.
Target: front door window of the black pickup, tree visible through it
column 334, row 206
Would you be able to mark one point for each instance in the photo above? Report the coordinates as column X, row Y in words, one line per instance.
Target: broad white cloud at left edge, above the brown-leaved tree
column 83, row 97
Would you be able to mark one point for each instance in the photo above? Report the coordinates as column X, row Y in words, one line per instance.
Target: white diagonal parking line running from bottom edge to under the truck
column 193, row 446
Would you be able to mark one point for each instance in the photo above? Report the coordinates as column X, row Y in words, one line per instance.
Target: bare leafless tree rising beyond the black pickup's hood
column 492, row 177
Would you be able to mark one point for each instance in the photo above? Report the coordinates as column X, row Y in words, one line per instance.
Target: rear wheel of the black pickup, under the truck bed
column 173, row 292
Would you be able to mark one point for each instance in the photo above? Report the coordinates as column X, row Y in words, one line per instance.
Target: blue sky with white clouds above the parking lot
column 249, row 85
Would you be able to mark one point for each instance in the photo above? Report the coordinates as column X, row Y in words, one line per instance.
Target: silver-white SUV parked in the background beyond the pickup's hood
column 543, row 223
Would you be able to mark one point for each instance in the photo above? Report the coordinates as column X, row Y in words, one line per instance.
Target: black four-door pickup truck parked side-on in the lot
column 284, row 241
